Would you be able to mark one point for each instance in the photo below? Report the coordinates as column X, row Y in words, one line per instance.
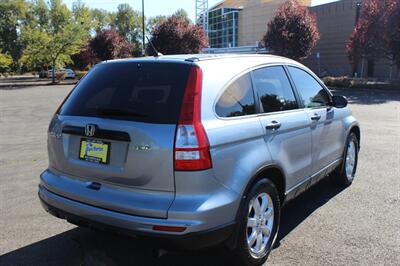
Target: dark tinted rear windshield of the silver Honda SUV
column 145, row 92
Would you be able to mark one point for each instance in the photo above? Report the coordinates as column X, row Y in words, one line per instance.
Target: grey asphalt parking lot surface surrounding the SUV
column 359, row 225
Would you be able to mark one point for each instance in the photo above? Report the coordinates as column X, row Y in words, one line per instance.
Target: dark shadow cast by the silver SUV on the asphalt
column 81, row 246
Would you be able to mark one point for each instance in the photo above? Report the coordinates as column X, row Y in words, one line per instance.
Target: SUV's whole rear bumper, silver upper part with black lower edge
column 206, row 224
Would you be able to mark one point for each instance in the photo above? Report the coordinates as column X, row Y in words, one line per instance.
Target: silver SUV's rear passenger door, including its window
column 287, row 130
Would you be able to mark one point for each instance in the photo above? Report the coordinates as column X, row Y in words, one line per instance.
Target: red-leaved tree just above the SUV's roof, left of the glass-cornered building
column 177, row 35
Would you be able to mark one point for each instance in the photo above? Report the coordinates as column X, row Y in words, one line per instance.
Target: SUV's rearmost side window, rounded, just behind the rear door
column 237, row 99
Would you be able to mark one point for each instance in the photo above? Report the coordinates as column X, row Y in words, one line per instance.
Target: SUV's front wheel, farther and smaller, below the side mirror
column 344, row 174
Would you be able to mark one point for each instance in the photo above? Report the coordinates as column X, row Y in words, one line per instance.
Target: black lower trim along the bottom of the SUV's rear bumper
column 195, row 240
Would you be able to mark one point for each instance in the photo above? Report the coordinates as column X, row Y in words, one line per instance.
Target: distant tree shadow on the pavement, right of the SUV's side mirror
column 368, row 96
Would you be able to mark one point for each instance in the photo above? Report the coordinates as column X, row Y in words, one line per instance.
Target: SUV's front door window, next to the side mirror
column 312, row 93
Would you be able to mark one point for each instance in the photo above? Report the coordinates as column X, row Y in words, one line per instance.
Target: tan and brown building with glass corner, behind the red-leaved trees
column 239, row 26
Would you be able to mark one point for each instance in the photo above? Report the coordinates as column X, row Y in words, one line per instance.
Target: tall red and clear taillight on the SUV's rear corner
column 192, row 150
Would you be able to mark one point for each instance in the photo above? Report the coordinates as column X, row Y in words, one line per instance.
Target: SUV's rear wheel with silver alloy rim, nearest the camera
column 246, row 254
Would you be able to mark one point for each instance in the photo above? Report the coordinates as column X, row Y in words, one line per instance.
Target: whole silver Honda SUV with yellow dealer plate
column 198, row 149
